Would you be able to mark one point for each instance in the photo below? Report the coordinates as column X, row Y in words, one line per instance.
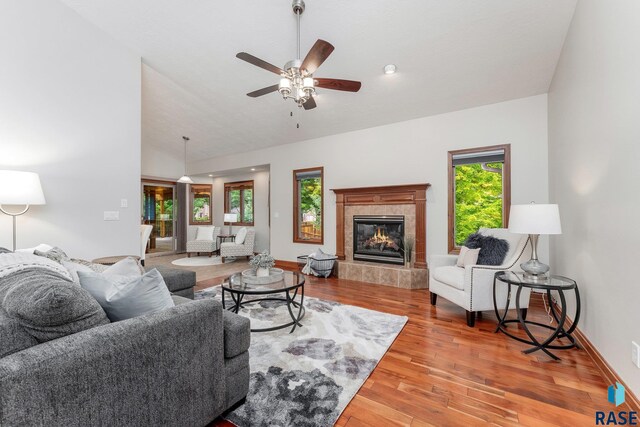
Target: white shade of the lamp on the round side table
column 534, row 219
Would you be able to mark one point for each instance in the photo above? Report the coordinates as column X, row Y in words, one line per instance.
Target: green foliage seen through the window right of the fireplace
column 478, row 199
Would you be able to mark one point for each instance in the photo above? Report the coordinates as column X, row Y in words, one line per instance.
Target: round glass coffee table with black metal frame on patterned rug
column 286, row 290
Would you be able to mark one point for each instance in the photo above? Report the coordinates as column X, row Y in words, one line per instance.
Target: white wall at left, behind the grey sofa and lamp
column 70, row 110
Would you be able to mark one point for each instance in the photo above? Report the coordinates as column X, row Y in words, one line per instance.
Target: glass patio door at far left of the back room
column 158, row 210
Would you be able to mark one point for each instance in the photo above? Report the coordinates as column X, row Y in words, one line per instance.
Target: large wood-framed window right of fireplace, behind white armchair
column 479, row 191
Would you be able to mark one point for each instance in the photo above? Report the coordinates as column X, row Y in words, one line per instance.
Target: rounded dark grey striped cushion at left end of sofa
column 47, row 305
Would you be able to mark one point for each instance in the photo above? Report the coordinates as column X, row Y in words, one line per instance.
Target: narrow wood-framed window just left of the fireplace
column 308, row 205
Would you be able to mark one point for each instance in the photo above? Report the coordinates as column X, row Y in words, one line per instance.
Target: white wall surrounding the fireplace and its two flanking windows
column 409, row 152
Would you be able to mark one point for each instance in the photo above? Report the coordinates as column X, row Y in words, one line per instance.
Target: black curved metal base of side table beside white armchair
column 558, row 332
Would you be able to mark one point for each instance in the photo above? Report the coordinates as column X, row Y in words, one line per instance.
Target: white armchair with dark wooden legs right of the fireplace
column 471, row 287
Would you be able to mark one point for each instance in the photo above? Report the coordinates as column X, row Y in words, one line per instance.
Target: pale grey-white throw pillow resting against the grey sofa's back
column 126, row 297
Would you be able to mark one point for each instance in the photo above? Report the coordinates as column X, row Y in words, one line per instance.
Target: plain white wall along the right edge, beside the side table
column 593, row 168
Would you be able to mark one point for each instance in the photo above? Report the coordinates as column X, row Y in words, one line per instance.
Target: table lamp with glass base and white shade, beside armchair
column 534, row 219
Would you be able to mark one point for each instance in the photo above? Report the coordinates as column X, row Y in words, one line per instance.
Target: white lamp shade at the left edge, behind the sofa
column 20, row 188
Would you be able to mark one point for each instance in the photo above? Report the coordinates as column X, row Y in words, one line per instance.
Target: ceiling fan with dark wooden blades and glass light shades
column 297, row 81
